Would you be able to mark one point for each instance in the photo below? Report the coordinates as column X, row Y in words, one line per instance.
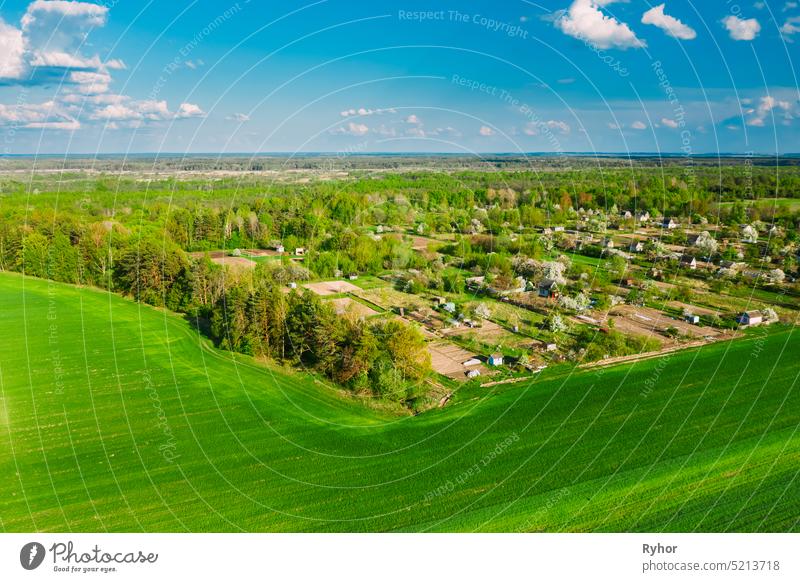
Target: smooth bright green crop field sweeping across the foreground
column 120, row 417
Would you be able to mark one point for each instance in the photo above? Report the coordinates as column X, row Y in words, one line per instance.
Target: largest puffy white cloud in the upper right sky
column 585, row 21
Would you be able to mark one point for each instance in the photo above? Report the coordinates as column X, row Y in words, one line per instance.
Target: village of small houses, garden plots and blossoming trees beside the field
column 603, row 289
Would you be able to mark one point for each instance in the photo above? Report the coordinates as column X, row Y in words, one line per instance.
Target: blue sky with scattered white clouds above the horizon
column 356, row 77
